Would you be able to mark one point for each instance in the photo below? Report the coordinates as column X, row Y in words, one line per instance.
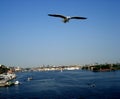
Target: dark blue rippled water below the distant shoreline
column 65, row 85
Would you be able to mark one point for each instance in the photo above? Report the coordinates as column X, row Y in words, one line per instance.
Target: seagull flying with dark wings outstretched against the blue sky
column 66, row 18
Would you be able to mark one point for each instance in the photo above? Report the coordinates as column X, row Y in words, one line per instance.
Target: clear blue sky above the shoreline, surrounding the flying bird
column 29, row 37
